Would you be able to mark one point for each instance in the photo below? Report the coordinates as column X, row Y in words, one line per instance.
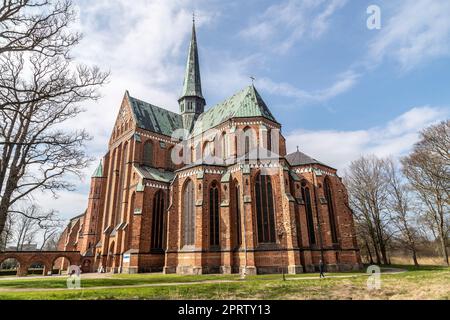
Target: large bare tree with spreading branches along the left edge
column 39, row 92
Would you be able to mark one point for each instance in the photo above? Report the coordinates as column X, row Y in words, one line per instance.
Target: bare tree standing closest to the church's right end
column 367, row 185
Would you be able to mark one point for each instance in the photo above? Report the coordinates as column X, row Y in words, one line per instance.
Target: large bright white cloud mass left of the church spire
column 141, row 42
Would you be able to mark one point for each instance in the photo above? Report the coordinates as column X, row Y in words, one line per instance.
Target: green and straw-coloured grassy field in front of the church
column 424, row 283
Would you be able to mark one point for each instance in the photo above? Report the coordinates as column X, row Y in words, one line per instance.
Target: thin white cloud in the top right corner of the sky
column 418, row 31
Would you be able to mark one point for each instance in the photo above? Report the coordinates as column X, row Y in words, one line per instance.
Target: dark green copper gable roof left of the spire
column 155, row 119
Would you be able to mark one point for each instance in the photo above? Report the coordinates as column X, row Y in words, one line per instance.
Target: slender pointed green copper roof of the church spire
column 192, row 83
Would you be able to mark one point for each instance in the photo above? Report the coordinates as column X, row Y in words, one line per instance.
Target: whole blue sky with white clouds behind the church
column 339, row 89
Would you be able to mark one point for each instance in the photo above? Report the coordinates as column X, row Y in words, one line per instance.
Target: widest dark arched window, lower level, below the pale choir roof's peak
column 265, row 209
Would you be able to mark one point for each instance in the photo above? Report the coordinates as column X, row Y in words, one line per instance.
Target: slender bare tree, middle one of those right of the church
column 400, row 203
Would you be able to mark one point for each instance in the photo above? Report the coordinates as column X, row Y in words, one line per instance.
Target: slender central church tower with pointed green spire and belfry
column 192, row 103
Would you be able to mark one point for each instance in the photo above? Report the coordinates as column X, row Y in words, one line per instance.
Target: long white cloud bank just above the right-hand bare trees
column 339, row 148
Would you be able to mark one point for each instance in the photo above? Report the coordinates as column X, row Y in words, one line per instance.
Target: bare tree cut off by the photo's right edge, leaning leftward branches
column 428, row 171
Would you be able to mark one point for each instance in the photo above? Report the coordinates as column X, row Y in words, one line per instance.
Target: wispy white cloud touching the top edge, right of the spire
column 282, row 25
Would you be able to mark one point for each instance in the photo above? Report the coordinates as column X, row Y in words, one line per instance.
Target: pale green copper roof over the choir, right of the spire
column 244, row 104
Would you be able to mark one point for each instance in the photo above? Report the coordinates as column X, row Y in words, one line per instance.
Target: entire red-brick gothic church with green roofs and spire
column 210, row 192
